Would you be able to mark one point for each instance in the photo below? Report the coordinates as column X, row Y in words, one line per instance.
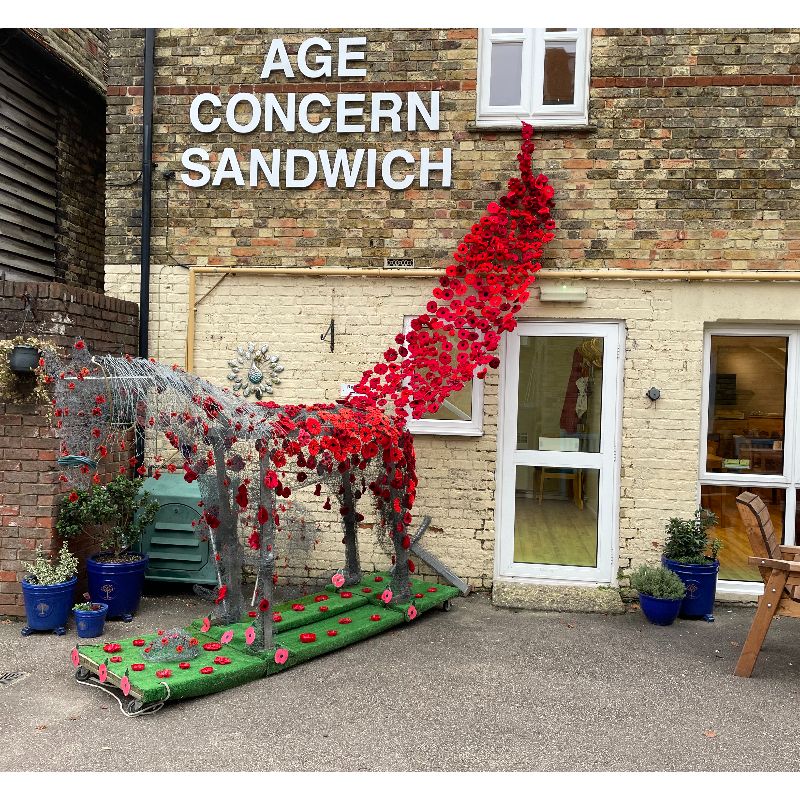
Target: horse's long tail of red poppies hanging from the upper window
column 477, row 299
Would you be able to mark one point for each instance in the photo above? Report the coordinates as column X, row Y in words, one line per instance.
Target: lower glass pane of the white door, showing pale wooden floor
column 555, row 518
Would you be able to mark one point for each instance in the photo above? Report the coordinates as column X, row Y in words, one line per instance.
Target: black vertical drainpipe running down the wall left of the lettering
column 147, row 186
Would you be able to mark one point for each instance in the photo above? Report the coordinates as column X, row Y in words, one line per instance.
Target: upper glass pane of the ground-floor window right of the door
column 747, row 403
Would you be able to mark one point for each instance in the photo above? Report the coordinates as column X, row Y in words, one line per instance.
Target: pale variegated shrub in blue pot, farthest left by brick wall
column 47, row 589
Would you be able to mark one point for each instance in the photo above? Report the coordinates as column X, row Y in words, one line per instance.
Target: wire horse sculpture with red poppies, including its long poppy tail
column 252, row 459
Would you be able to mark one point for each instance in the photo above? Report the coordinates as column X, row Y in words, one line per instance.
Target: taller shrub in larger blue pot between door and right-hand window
column 690, row 554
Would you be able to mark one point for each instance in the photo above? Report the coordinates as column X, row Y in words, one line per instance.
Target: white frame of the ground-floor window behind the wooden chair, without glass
column 789, row 481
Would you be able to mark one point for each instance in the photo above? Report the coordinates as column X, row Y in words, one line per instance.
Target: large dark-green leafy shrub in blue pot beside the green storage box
column 115, row 514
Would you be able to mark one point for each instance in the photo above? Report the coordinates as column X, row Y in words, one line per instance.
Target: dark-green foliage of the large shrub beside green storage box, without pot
column 115, row 514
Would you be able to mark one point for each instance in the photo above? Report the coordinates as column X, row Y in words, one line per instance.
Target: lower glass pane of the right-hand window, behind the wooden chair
column 736, row 548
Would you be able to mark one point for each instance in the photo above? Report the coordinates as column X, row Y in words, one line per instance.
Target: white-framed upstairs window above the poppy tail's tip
column 539, row 75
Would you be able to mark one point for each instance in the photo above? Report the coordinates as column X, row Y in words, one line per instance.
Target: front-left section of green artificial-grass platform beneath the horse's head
column 182, row 683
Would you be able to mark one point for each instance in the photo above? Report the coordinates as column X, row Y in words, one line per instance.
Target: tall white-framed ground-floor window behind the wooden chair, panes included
column 749, row 438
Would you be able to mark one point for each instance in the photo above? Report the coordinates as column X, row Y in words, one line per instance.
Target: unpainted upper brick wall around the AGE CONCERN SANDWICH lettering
column 689, row 160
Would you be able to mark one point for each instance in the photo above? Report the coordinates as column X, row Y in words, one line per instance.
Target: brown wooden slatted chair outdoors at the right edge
column 780, row 568
